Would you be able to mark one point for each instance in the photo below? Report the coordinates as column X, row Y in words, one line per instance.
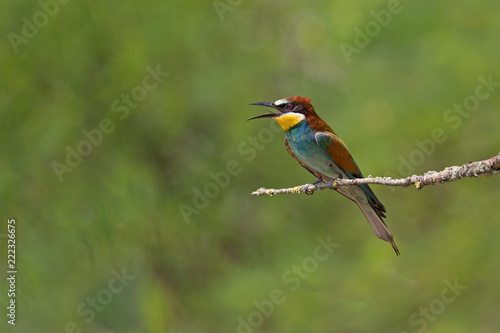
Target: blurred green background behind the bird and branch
column 119, row 210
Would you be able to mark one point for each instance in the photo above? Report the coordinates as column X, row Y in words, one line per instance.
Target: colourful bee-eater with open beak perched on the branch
column 316, row 147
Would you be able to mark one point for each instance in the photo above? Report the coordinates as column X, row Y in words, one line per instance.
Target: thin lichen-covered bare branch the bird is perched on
column 472, row 169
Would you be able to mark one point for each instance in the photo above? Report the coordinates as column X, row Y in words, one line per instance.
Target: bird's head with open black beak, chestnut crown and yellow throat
column 290, row 111
